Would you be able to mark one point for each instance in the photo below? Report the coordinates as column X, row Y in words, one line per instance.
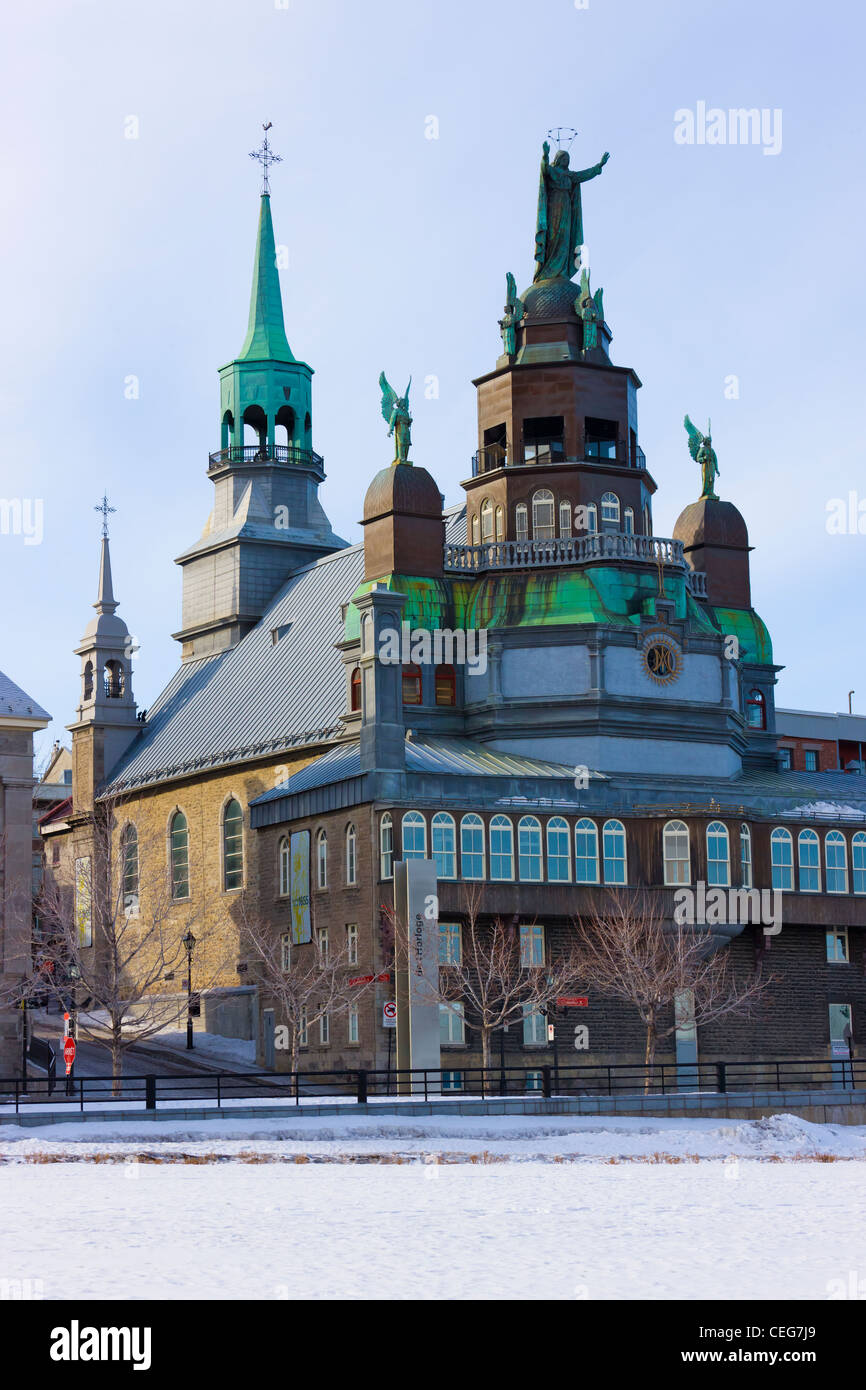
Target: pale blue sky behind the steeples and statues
column 126, row 258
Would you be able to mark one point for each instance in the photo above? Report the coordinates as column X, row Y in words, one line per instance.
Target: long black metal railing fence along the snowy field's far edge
column 362, row 1086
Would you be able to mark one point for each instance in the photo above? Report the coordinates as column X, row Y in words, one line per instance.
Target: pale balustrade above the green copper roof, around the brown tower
column 585, row 550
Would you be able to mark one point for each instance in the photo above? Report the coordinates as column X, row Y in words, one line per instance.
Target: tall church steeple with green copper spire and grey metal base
column 268, row 519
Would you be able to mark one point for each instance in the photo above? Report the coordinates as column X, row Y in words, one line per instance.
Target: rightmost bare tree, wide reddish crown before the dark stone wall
column 673, row 976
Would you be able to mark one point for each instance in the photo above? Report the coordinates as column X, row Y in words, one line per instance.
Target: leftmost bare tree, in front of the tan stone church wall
column 116, row 935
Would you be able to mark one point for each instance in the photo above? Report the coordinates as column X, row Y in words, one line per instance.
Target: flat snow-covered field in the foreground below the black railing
column 498, row 1207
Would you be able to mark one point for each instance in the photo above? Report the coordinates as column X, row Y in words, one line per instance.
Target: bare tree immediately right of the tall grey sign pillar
column 494, row 982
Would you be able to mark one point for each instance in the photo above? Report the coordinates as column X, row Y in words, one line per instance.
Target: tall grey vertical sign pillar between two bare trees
column 418, row 971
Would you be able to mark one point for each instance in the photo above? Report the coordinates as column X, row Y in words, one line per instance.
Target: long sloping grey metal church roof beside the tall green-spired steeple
column 261, row 697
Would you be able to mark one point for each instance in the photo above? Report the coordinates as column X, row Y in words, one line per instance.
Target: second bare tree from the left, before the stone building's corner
column 308, row 982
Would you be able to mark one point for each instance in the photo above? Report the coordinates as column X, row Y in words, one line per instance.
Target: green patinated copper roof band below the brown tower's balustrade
column 557, row 598
